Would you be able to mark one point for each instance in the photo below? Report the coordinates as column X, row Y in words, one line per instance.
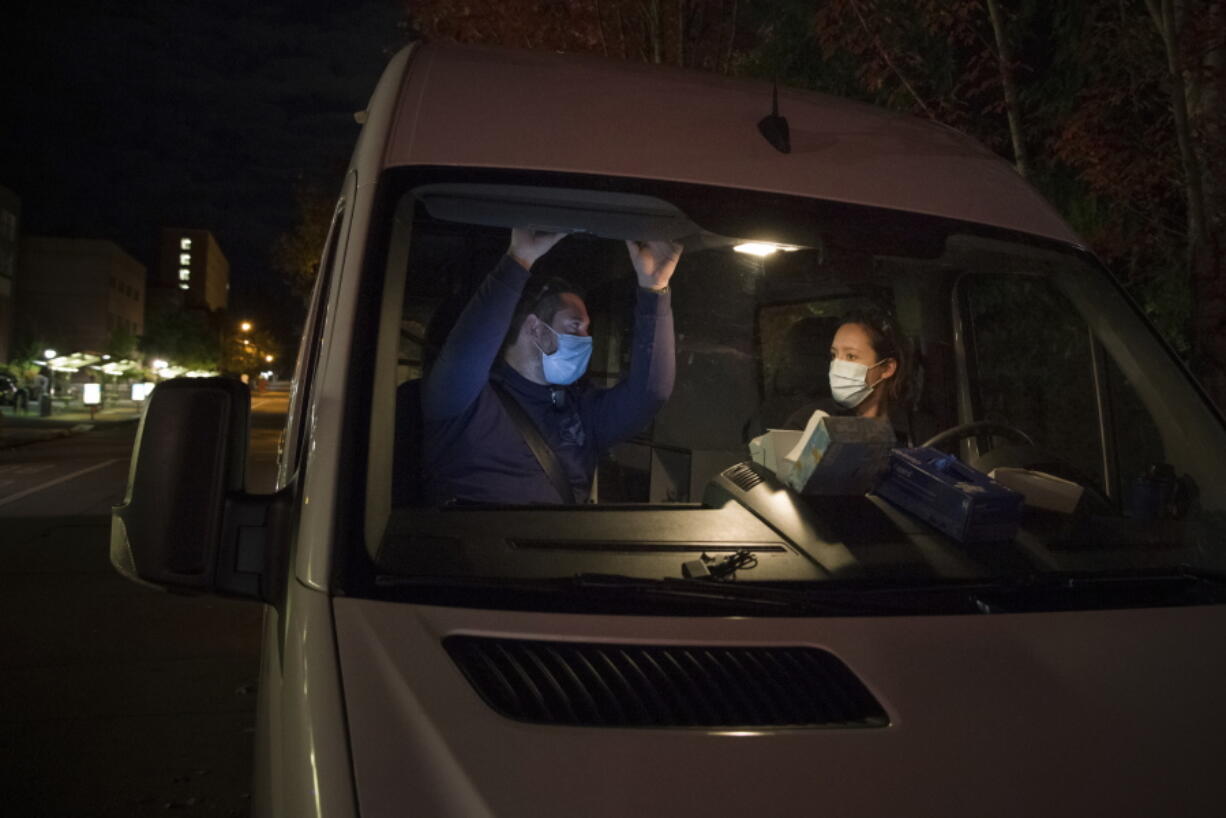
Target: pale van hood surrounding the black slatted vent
column 1115, row 713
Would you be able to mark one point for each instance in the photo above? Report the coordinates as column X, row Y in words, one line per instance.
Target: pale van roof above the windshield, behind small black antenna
column 501, row 109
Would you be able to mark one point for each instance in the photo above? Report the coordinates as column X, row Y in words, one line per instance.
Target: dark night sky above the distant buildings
column 118, row 118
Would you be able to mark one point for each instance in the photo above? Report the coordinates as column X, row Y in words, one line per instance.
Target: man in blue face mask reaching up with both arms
column 514, row 355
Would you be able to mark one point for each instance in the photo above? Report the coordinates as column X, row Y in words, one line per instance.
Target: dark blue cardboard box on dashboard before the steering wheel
column 945, row 492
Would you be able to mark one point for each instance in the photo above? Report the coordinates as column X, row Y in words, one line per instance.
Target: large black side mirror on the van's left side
column 186, row 523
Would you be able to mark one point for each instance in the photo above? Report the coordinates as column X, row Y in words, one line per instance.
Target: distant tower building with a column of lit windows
column 192, row 264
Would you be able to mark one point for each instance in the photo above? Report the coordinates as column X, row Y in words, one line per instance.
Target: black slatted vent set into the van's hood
column 665, row 686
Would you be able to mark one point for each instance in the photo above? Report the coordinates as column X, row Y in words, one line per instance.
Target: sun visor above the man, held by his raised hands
column 601, row 214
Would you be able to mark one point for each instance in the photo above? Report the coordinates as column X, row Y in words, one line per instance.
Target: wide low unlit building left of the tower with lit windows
column 78, row 294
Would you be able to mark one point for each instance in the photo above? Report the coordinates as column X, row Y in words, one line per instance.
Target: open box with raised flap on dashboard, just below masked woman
column 840, row 456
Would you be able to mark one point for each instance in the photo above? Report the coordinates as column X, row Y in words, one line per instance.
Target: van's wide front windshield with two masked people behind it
column 826, row 397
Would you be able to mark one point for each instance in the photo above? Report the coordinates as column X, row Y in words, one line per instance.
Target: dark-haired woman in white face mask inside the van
column 866, row 375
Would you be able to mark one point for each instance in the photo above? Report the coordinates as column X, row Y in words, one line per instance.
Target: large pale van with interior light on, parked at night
column 486, row 659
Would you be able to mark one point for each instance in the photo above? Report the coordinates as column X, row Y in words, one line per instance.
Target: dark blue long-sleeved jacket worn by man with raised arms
column 473, row 451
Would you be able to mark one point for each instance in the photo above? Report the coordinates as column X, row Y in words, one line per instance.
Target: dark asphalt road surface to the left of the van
column 116, row 700
